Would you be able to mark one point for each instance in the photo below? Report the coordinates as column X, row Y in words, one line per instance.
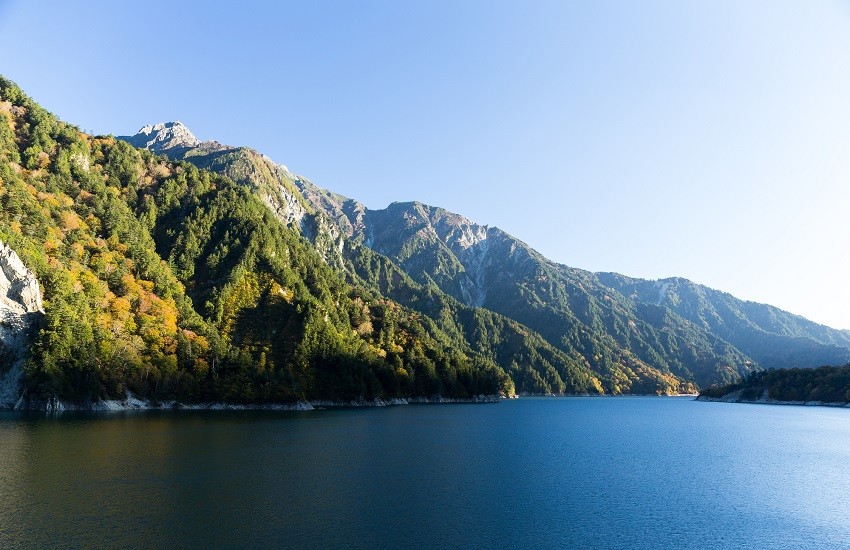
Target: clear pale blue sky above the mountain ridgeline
column 702, row 139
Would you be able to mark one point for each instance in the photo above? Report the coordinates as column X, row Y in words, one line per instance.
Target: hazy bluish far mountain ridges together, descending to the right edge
column 694, row 332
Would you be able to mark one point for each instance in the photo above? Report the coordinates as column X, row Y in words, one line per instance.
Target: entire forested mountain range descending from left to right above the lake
column 214, row 274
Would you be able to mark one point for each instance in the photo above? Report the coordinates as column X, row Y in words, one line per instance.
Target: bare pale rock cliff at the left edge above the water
column 20, row 312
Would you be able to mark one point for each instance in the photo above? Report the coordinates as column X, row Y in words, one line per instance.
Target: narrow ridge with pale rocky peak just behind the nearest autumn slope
column 532, row 363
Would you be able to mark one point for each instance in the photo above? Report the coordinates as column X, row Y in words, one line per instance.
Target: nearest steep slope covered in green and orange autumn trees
column 177, row 283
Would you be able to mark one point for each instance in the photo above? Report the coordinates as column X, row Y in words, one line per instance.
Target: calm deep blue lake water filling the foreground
column 535, row 473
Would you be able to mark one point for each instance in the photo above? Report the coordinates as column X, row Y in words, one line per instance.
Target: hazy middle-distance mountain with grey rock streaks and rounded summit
column 569, row 307
